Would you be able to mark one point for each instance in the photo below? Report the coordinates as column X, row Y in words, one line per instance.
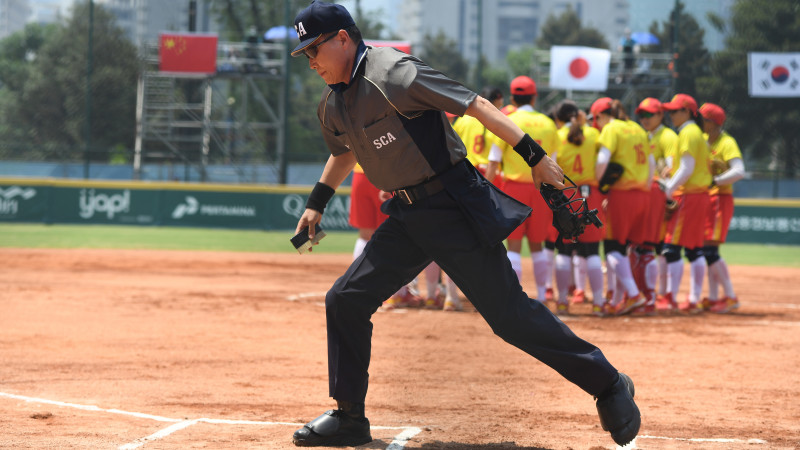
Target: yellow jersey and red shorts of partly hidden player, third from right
column 663, row 143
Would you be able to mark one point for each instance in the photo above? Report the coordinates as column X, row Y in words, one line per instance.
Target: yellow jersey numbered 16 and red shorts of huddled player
column 628, row 197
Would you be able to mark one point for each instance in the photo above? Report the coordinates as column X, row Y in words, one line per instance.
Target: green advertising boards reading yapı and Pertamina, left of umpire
column 103, row 204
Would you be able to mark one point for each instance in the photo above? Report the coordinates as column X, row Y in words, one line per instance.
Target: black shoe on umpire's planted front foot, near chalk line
column 332, row 429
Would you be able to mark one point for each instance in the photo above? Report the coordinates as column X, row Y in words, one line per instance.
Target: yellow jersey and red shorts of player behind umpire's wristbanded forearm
column 518, row 181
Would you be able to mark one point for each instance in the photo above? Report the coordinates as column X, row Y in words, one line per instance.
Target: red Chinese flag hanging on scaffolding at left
column 188, row 53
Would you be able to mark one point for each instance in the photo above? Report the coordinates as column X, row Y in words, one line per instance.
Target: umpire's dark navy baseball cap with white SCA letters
column 318, row 19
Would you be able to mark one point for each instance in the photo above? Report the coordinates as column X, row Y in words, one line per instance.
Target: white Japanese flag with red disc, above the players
column 579, row 68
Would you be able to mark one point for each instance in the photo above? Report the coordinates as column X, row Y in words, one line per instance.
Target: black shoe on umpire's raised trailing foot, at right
column 618, row 412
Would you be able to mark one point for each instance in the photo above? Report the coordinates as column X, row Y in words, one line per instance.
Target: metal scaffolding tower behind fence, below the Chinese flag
column 235, row 116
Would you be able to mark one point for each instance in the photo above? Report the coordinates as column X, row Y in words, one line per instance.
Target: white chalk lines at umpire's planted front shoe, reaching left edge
column 398, row 443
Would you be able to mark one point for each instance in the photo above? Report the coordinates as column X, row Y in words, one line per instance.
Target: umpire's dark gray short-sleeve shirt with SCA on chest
column 391, row 117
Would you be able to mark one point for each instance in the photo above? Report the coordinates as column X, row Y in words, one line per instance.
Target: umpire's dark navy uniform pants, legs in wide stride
column 434, row 229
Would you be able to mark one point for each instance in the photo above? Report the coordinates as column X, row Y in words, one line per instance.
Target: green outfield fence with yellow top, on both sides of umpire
column 54, row 201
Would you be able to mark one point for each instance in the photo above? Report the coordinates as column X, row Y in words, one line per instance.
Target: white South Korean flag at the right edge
column 774, row 74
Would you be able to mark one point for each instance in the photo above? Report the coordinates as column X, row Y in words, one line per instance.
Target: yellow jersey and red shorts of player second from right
column 687, row 225
